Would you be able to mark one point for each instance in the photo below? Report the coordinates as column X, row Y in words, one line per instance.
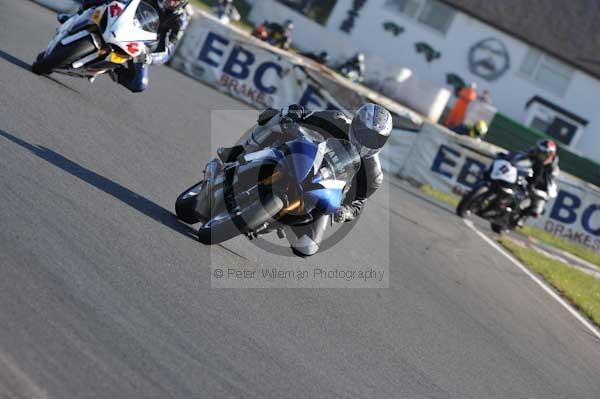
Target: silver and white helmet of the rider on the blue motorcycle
column 370, row 129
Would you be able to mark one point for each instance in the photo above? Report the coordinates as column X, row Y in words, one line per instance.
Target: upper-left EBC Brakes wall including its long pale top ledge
column 264, row 76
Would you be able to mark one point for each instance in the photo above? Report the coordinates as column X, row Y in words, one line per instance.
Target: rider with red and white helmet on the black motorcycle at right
column 543, row 183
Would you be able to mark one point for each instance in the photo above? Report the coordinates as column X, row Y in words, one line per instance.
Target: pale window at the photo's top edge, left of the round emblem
column 432, row 13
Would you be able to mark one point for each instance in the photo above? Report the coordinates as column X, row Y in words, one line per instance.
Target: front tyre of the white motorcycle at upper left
column 63, row 56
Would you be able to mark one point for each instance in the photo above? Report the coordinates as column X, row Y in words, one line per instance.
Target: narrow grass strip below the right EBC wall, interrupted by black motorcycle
column 560, row 243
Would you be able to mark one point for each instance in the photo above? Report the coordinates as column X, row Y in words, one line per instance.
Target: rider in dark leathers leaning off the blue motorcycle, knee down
column 368, row 131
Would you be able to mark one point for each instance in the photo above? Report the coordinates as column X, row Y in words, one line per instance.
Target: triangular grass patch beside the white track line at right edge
column 580, row 288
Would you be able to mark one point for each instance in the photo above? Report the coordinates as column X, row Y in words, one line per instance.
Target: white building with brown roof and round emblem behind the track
column 531, row 55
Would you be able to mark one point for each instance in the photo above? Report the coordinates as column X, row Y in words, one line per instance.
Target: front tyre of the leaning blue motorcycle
column 216, row 231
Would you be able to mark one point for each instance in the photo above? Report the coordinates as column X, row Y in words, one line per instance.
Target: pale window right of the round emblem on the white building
column 547, row 72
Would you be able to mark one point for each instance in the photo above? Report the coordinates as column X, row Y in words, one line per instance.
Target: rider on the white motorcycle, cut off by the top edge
column 173, row 22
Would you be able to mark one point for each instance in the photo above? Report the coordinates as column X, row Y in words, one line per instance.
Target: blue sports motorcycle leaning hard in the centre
column 289, row 183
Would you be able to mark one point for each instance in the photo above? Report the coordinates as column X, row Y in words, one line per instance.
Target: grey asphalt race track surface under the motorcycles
column 103, row 294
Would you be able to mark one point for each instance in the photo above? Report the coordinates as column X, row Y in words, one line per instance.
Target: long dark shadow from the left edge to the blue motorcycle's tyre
column 123, row 194
